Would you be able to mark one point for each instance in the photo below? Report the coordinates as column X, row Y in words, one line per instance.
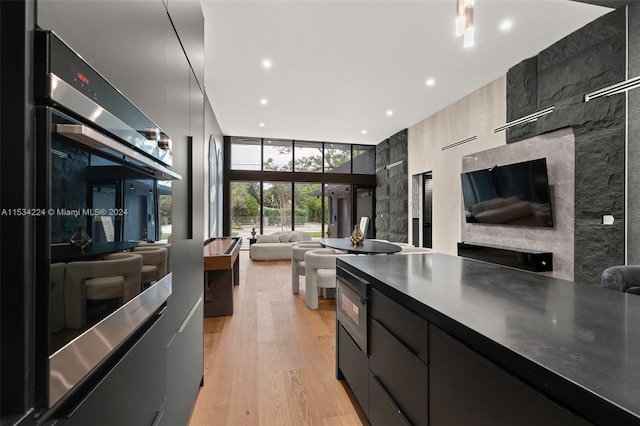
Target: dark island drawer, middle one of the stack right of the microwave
column 404, row 376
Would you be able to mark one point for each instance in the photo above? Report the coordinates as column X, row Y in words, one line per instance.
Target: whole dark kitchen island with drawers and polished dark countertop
column 459, row 341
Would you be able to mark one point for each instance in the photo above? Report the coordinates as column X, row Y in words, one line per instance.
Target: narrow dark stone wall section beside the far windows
column 392, row 189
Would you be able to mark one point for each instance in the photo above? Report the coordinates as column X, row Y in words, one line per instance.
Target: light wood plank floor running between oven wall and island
column 273, row 361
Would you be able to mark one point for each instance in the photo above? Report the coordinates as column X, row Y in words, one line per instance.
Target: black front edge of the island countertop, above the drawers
column 556, row 388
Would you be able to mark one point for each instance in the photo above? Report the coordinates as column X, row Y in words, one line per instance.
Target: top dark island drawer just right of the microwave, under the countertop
column 409, row 328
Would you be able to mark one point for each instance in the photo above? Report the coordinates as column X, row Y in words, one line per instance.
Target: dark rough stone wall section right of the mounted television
column 588, row 59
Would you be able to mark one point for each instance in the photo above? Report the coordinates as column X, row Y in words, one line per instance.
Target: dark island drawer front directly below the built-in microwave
column 354, row 365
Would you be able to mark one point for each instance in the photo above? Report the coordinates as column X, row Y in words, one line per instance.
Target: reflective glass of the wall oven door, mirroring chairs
column 127, row 214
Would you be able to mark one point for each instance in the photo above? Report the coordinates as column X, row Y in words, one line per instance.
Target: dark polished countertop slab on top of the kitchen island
column 578, row 344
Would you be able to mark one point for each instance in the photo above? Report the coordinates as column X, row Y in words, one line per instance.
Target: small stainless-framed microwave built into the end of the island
column 351, row 312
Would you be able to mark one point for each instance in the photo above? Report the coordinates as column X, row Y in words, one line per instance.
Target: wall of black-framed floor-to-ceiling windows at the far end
column 281, row 185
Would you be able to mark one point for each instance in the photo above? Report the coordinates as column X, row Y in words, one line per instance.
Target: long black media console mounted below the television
column 529, row 260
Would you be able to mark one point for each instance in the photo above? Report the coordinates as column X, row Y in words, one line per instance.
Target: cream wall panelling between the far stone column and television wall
column 475, row 114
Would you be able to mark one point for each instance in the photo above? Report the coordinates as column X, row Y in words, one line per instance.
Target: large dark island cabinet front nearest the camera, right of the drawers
column 468, row 389
